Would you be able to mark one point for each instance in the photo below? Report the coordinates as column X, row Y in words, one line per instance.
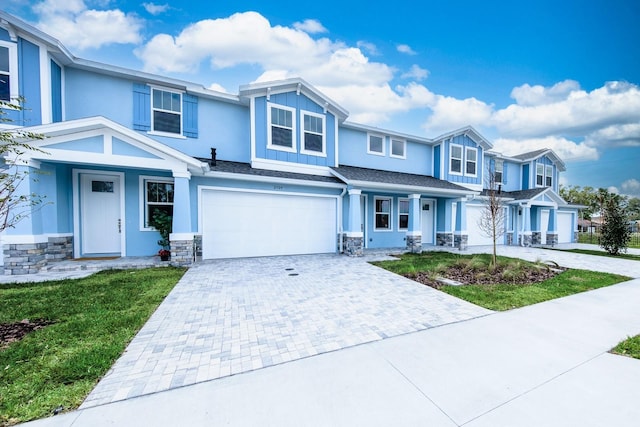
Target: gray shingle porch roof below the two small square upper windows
column 352, row 173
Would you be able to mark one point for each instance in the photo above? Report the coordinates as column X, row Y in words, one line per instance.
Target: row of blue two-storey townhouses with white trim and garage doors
column 276, row 169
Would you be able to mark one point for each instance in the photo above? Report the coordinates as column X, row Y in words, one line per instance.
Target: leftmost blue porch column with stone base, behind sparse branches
column 24, row 244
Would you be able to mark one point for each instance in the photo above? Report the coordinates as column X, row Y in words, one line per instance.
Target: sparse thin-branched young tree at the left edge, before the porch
column 14, row 206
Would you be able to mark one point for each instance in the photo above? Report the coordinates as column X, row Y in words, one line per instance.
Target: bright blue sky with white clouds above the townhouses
column 557, row 74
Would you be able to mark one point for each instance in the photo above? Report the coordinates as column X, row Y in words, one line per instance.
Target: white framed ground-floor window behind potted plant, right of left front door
column 155, row 193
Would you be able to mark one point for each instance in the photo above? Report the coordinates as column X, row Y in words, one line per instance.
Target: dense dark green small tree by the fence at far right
column 615, row 233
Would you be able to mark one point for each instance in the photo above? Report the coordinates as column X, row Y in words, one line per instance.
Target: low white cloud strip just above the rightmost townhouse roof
column 567, row 150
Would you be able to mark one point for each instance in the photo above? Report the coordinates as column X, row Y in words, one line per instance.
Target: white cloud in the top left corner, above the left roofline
column 79, row 27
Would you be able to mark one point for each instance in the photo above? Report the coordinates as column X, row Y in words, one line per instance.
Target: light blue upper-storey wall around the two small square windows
column 353, row 152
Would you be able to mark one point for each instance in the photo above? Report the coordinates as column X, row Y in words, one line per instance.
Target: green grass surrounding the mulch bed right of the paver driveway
column 502, row 296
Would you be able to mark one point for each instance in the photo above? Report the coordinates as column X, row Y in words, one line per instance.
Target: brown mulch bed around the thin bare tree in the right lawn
column 468, row 276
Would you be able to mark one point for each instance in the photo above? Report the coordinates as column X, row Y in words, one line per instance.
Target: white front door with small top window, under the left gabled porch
column 101, row 221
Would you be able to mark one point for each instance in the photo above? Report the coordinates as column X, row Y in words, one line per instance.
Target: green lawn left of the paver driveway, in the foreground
column 95, row 318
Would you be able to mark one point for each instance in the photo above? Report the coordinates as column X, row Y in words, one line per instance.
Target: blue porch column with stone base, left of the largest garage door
column 182, row 237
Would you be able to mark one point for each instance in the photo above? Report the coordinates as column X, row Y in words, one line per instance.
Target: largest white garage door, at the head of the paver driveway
column 243, row 224
